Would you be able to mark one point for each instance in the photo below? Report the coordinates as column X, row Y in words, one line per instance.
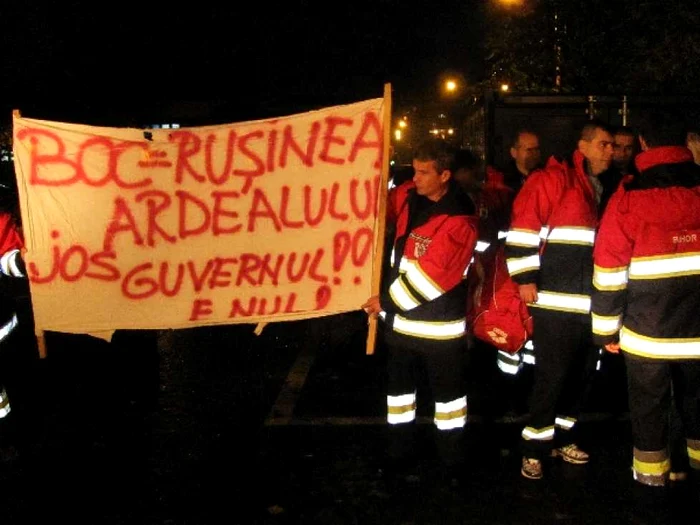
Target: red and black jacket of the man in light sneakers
column 550, row 240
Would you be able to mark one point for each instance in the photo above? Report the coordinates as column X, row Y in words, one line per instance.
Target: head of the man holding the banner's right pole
column 432, row 164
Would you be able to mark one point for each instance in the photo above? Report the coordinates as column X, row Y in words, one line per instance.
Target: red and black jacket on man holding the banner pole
column 425, row 296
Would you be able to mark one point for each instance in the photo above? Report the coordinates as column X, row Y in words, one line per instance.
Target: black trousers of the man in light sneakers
column 564, row 366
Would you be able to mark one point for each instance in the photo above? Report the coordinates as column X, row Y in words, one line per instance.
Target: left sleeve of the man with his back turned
column 611, row 259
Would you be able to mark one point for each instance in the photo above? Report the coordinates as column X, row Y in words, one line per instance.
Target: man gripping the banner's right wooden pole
column 424, row 305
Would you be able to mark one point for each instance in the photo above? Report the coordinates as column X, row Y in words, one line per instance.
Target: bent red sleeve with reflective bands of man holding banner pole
column 436, row 272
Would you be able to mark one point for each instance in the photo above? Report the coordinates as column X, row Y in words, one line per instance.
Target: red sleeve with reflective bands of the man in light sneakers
column 531, row 211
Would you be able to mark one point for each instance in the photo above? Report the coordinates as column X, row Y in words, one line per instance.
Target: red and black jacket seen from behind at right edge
column 647, row 260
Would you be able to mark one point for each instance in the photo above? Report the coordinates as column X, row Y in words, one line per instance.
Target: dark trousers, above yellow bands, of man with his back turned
column 654, row 384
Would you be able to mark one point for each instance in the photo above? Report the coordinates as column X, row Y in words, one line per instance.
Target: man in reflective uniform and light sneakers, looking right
column 549, row 254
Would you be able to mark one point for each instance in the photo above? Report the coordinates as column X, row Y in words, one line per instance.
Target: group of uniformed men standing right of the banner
column 602, row 247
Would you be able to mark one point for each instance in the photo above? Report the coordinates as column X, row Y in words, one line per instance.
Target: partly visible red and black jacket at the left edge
column 11, row 265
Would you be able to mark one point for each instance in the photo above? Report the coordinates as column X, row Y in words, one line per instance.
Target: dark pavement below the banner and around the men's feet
column 220, row 426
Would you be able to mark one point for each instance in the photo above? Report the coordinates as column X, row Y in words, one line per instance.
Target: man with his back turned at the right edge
column 647, row 298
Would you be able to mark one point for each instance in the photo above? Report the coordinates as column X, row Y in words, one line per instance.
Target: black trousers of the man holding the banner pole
column 442, row 363
